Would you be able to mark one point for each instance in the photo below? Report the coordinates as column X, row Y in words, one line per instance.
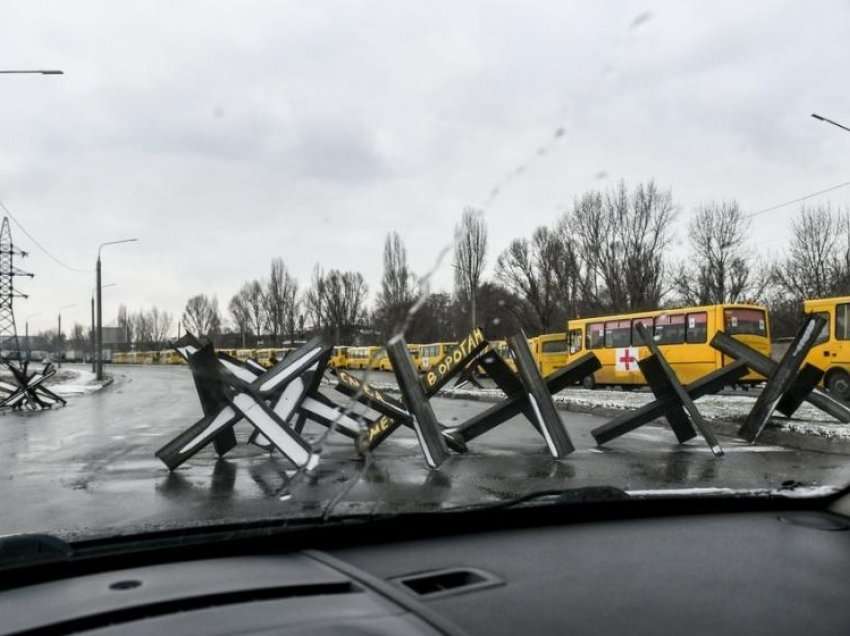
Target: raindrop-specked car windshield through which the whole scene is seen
column 294, row 261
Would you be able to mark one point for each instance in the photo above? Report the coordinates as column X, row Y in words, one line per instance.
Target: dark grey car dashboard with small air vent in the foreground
column 742, row 569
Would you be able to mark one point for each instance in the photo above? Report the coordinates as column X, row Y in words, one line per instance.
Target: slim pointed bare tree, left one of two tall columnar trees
column 397, row 287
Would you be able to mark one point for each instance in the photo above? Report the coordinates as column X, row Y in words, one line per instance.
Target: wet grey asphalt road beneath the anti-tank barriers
column 90, row 469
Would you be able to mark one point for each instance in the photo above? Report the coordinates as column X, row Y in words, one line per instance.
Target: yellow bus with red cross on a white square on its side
column 682, row 334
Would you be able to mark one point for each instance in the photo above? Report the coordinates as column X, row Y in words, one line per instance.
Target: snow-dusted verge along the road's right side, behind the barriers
column 777, row 432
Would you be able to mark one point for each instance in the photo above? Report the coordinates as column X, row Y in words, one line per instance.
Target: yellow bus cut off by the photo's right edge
column 831, row 351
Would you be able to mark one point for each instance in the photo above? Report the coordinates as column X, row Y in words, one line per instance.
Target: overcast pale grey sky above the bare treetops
column 224, row 136
